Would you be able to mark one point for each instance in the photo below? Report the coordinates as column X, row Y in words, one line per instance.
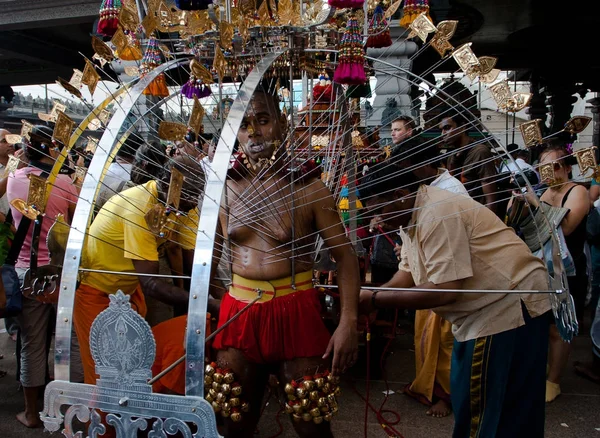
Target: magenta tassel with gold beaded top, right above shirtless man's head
column 351, row 69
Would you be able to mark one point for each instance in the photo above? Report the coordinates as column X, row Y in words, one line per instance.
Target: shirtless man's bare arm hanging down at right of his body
column 344, row 342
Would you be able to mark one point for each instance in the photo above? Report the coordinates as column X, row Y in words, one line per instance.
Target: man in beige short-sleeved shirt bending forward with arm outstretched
column 451, row 242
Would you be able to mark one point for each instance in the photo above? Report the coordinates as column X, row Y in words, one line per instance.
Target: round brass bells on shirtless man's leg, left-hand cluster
column 223, row 393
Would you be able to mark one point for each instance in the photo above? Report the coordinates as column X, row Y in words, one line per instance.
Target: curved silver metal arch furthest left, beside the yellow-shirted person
column 81, row 218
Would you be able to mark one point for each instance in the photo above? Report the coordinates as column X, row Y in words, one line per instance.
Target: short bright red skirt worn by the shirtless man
column 282, row 329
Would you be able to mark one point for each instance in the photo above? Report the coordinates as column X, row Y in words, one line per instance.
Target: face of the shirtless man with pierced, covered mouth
column 261, row 130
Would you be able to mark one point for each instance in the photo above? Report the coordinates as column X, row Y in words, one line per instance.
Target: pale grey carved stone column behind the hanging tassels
column 392, row 83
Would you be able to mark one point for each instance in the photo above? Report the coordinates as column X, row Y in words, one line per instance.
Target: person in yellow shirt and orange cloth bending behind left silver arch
column 120, row 240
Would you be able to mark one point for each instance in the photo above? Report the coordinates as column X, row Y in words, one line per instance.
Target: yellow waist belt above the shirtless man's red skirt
column 244, row 289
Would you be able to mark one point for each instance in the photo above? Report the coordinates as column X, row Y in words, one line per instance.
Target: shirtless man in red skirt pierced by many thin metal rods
column 282, row 334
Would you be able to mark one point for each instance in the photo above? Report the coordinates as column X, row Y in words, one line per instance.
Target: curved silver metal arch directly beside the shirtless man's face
column 207, row 227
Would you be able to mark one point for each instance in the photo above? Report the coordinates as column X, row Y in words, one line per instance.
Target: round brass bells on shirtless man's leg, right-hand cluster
column 313, row 399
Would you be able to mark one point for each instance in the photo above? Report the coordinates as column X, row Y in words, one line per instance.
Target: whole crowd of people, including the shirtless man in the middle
column 447, row 239
